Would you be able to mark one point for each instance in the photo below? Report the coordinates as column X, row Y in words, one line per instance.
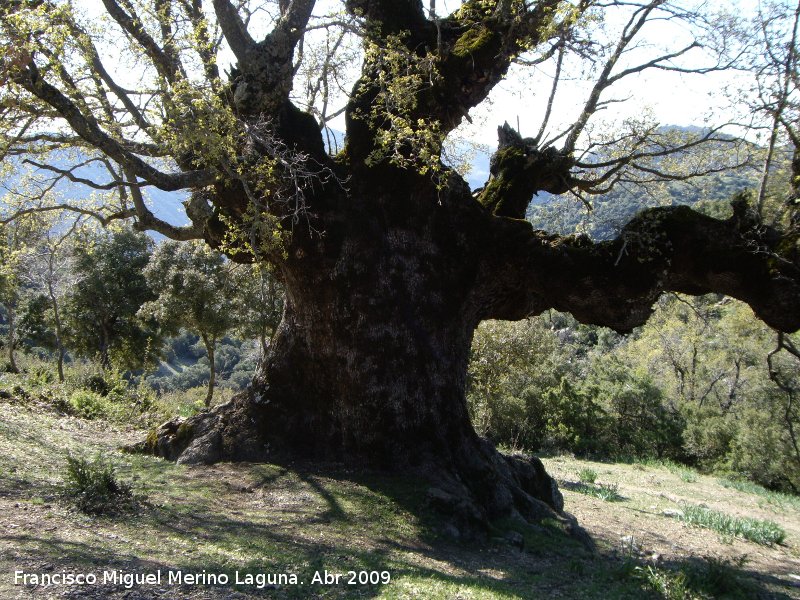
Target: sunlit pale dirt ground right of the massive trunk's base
column 640, row 520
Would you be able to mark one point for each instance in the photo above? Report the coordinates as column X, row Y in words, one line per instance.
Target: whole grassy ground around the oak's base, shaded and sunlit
column 295, row 519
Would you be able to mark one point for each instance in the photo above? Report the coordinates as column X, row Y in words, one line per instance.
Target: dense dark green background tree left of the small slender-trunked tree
column 102, row 307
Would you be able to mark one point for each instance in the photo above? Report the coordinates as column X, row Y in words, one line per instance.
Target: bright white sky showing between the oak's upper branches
column 669, row 98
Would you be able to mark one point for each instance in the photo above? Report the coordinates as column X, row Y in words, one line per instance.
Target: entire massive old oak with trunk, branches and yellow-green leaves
column 388, row 259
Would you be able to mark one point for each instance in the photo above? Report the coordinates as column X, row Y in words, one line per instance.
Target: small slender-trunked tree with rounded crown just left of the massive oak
column 195, row 291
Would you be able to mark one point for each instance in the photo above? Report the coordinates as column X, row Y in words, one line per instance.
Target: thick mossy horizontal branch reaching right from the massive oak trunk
column 663, row 249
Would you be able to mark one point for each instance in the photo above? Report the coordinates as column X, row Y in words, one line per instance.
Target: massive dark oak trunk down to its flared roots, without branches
column 368, row 366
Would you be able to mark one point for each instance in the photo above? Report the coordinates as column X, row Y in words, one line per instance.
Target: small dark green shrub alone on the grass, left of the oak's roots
column 93, row 487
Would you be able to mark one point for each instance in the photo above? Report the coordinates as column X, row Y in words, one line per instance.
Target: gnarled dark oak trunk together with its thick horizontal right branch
column 369, row 363
